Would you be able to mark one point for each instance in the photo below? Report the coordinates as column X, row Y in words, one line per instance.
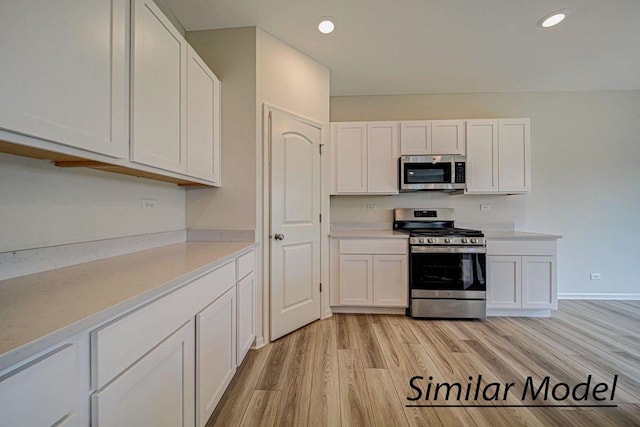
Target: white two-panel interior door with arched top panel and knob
column 295, row 223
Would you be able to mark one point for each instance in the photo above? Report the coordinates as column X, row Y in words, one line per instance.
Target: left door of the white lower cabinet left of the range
column 356, row 279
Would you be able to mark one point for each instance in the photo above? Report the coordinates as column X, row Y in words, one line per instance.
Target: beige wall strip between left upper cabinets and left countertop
column 41, row 205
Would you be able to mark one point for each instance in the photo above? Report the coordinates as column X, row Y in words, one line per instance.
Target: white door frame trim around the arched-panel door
column 264, row 210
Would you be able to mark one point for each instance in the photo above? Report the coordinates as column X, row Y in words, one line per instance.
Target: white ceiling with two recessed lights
column 445, row 46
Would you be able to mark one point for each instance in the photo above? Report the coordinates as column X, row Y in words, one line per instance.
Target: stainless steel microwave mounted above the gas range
column 419, row 173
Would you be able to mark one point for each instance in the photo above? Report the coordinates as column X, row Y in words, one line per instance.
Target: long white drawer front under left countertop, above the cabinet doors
column 119, row 344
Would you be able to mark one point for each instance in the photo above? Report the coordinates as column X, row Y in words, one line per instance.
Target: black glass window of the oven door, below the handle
column 448, row 272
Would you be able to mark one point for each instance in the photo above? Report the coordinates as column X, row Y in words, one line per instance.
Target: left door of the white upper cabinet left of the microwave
column 350, row 157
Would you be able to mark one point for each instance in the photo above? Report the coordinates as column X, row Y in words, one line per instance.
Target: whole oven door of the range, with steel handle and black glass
column 454, row 272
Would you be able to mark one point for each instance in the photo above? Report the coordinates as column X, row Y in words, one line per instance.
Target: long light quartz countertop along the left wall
column 40, row 310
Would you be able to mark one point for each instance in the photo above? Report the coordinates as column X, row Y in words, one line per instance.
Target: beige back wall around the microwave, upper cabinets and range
column 585, row 175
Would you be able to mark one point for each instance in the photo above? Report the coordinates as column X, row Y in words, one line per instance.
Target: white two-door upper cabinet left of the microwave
column 365, row 157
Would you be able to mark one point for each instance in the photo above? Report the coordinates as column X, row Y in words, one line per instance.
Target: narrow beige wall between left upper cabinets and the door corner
column 231, row 54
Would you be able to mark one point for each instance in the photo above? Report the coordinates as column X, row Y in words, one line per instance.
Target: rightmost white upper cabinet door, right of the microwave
column 514, row 163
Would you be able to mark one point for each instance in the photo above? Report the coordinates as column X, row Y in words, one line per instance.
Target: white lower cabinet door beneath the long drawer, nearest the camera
column 156, row 391
